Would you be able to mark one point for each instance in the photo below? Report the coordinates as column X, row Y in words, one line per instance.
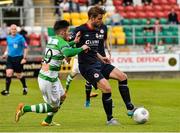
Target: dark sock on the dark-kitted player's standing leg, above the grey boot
column 107, row 104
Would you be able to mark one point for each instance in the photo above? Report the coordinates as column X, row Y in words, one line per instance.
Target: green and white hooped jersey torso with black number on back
column 53, row 58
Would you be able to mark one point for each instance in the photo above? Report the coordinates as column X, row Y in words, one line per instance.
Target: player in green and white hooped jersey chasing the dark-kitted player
column 53, row 93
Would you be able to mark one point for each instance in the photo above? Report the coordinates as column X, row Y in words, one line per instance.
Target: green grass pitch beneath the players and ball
column 161, row 97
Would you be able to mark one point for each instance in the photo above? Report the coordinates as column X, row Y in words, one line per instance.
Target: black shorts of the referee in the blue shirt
column 15, row 63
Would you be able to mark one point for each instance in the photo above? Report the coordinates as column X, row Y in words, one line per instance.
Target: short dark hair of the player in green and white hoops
column 61, row 24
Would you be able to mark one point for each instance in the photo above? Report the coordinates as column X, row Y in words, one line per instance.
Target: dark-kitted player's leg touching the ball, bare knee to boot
column 123, row 89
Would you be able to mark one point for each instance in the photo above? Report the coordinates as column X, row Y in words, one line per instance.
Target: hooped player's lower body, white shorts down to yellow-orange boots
column 52, row 96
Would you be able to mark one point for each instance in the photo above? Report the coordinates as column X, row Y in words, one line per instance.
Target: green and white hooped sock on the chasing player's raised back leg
column 39, row 108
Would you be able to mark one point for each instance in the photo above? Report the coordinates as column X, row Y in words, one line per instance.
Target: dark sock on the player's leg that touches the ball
column 124, row 91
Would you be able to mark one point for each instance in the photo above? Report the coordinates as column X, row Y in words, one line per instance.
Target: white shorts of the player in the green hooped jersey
column 51, row 91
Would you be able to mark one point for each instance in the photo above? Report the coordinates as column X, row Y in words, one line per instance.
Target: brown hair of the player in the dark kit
column 95, row 11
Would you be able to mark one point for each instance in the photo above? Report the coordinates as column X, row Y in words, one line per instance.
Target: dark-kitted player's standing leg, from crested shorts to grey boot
column 95, row 77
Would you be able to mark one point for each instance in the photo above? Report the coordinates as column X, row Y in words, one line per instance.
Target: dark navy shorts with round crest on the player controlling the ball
column 95, row 72
